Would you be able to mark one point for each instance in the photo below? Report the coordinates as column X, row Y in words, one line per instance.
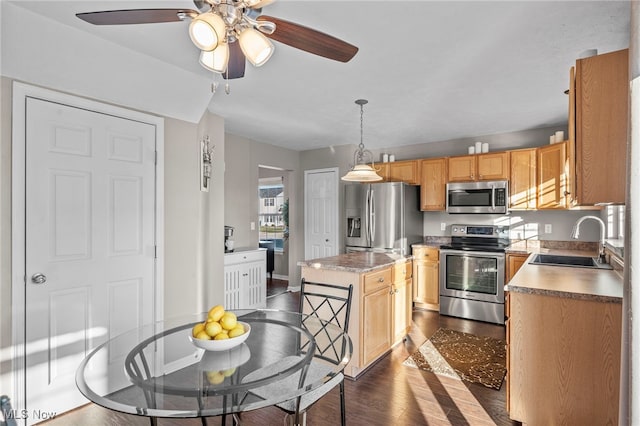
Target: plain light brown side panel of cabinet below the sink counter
column 563, row 360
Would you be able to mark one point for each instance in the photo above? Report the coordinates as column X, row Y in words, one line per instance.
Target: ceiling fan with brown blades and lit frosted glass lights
column 229, row 31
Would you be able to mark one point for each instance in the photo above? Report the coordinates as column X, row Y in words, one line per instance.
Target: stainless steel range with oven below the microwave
column 472, row 273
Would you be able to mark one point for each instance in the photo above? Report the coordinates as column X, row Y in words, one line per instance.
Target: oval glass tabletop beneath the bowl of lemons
column 156, row 371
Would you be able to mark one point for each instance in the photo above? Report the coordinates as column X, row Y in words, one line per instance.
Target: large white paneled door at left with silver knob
column 89, row 243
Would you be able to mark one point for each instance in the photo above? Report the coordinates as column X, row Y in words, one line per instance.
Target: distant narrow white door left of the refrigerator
column 321, row 213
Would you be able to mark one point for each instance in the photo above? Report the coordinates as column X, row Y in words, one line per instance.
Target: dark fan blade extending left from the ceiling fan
column 135, row 16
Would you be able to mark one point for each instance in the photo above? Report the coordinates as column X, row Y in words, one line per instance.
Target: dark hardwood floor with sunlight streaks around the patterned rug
column 387, row 394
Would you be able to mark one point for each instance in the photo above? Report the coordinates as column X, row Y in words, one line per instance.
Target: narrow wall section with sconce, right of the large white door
column 194, row 223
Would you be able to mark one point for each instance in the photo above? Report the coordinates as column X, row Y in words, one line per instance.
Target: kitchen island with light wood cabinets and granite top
column 381, row 302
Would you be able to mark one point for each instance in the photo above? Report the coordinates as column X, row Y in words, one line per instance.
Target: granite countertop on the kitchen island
column 355, row 262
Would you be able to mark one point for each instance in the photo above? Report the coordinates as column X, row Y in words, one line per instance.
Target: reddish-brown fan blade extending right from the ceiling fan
column 310, row 40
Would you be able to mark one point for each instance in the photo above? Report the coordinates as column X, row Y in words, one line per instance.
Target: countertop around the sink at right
column 577, row 283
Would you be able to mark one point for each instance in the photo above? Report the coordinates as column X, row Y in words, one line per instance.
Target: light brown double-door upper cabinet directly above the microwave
column 489, row 166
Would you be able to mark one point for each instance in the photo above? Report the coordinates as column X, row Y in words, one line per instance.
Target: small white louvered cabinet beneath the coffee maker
column 245, row 279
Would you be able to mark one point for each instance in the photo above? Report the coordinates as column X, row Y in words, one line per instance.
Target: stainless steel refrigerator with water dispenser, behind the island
column 382, row 217
